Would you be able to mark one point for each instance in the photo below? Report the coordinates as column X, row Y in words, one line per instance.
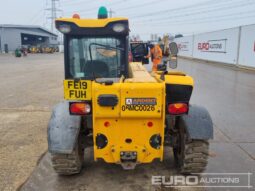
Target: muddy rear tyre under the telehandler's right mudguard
column 190, row 155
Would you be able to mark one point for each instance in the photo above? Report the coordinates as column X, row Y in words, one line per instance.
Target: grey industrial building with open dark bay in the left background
column 16, row 36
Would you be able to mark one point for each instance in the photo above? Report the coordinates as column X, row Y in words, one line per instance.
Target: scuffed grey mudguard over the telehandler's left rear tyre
column 63, row 129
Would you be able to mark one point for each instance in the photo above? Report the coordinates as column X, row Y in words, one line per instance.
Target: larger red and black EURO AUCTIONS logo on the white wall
column 217, row 46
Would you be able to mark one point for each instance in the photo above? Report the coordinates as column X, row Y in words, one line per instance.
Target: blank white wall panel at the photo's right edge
column 247, row 46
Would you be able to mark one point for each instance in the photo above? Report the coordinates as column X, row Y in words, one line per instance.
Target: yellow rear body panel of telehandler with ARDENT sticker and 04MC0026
column 129, row 124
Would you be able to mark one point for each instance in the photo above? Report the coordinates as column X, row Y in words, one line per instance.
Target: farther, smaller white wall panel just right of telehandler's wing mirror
column 185, row 45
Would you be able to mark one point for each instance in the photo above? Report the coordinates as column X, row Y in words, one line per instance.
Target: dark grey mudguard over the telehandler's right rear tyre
column 198, row 123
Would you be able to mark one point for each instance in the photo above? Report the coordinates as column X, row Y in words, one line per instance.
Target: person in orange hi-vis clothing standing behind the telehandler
column 156, row 56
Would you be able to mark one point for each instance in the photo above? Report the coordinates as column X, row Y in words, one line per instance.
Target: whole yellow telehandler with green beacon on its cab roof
column 125, row 113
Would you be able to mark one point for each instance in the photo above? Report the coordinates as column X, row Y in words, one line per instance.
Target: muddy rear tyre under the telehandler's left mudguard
column 68, row 164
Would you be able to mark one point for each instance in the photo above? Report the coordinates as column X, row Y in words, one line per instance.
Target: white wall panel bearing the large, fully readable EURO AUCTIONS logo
column 219, row 46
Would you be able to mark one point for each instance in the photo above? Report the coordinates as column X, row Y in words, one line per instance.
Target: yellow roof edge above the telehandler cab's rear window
column 91, row 23
